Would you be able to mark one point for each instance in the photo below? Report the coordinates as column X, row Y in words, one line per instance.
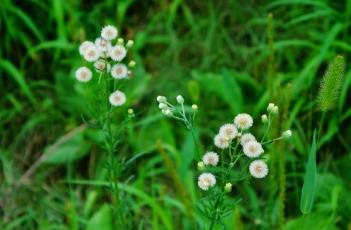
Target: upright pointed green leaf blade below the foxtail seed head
column 310, row 179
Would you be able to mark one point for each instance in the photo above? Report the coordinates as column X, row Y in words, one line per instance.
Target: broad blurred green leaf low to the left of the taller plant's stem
column 68, row 148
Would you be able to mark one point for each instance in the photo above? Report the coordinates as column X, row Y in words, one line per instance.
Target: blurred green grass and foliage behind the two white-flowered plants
column 226, row 56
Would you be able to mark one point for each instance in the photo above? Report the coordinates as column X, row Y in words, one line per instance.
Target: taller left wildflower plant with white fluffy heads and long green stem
column 105, row 72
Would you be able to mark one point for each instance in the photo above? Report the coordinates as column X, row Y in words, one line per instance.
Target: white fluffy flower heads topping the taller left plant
column 106, row 55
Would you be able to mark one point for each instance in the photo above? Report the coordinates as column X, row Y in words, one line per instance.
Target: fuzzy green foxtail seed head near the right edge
column 331, row 84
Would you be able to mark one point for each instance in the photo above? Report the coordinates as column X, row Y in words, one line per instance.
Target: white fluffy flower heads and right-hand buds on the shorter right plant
column 238, row 141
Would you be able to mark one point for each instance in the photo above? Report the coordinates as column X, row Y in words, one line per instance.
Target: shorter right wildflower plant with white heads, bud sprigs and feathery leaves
column 238, row 156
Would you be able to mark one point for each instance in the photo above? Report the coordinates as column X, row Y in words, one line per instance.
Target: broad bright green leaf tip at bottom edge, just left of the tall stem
column 102, row 219
